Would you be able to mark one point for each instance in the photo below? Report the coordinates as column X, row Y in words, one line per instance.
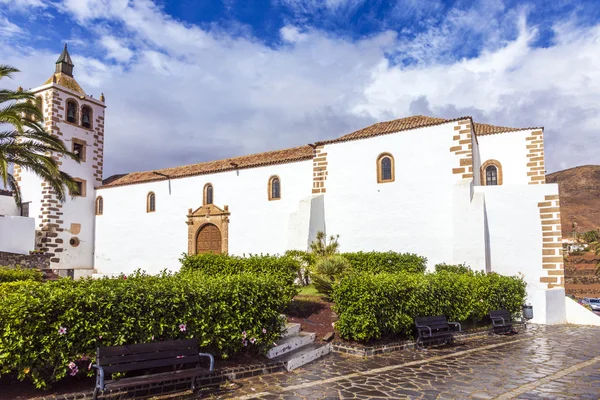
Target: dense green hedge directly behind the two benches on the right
column 374, row 306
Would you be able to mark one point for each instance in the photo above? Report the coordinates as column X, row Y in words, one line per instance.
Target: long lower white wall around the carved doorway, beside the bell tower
column 127, row 237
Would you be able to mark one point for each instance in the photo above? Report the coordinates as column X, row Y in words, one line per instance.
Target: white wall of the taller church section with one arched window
column 412, row 214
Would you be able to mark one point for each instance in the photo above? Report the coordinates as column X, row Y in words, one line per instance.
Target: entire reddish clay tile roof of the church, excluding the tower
column 293, row 154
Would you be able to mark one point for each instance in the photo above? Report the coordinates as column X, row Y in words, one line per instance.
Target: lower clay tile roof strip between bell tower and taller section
column 228, row 164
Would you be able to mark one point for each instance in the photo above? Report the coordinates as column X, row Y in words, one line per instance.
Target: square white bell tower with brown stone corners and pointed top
column 66, row 230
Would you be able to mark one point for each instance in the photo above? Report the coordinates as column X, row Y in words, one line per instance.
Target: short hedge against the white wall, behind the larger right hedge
column 376, row 262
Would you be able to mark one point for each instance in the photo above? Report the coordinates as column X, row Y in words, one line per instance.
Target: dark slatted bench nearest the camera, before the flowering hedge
column 174, row 353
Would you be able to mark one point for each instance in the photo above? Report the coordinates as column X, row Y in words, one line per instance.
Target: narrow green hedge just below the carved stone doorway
column 224, row 264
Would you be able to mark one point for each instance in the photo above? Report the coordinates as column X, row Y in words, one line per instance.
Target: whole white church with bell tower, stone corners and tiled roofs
column 452, row 190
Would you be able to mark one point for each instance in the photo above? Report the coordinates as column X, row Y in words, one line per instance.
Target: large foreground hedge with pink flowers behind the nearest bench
column 134, row 309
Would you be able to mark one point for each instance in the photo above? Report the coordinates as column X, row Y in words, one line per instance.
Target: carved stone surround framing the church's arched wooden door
column 208, row 214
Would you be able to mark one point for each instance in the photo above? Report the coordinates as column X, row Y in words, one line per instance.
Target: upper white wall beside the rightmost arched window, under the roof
column 510, row 150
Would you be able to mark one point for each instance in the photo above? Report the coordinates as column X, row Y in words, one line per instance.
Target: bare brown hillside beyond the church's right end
column 579, row 190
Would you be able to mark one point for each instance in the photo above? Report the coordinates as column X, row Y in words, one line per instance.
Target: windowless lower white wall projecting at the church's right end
column 515, row 243
